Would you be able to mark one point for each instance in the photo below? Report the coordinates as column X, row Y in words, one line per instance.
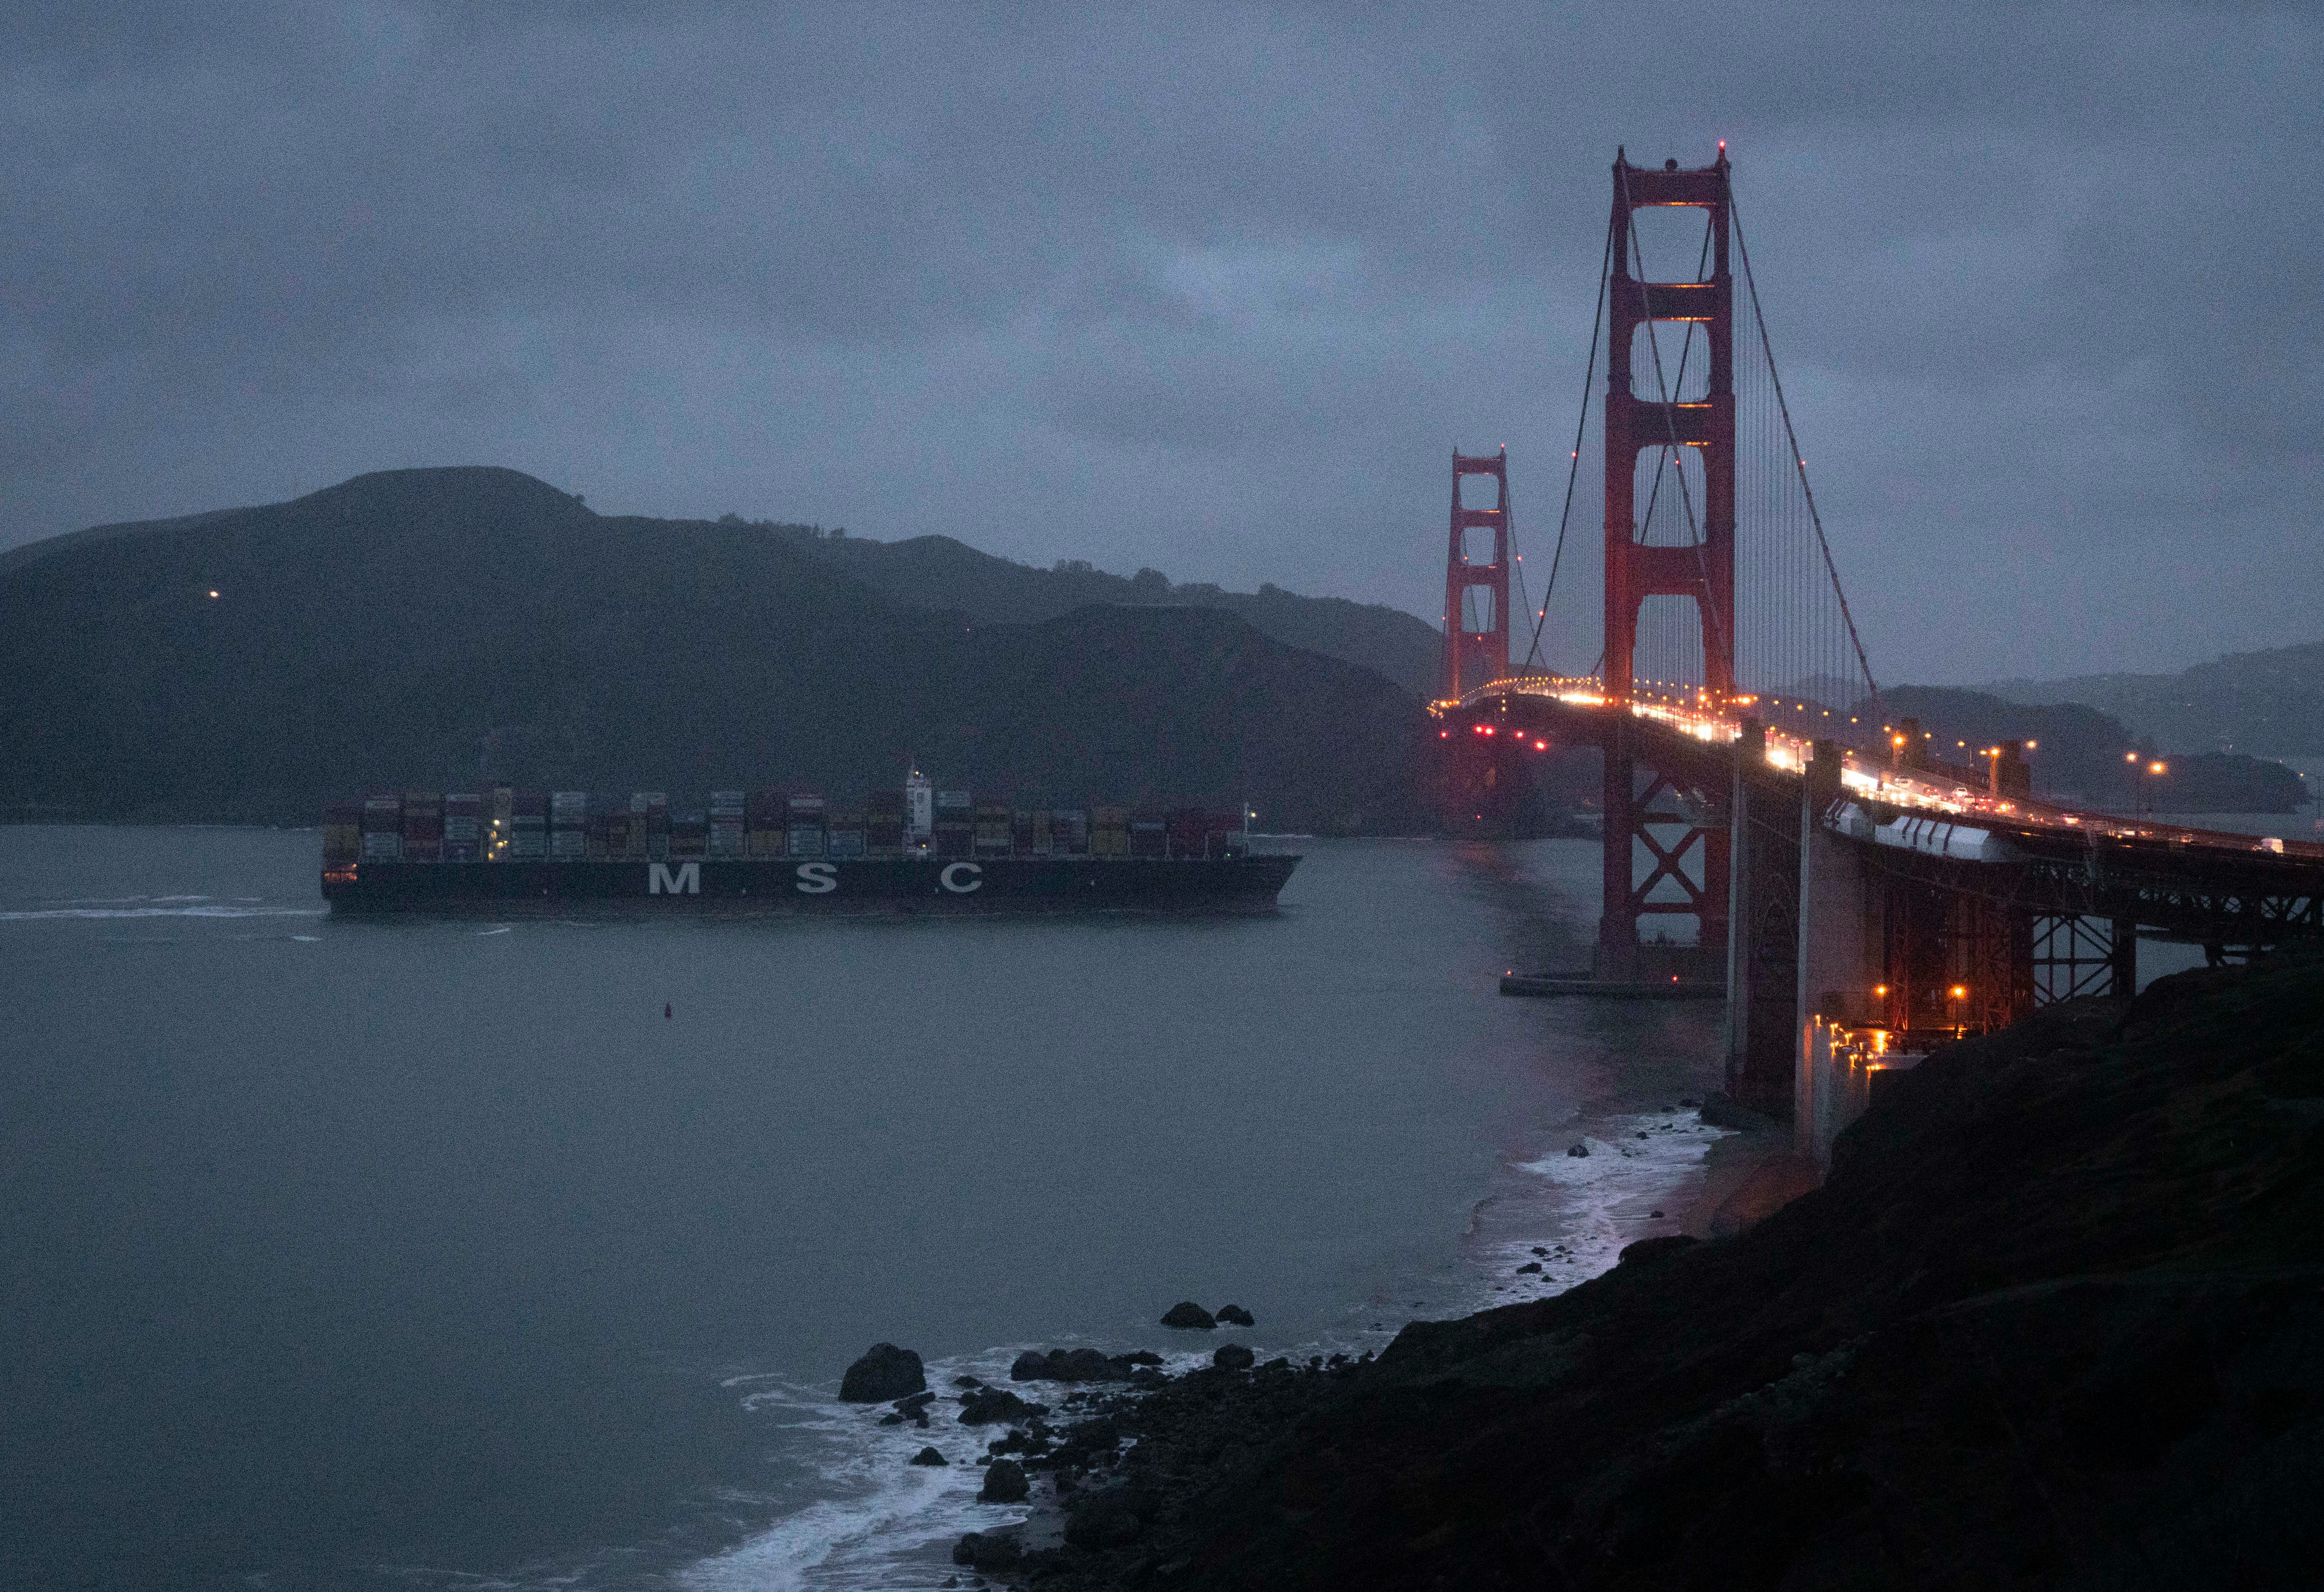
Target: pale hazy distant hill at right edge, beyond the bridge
column 2265, row 703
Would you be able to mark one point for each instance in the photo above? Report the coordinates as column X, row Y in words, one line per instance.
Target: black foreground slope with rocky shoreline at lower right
column 2053, row 1321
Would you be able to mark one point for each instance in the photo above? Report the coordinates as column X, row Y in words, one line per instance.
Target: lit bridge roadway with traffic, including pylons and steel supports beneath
column 1907, row 898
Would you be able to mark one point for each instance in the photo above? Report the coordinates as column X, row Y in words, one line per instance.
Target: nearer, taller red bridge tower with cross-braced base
column 1672, row 836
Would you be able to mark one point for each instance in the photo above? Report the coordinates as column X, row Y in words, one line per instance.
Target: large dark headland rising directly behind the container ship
column 436, row 629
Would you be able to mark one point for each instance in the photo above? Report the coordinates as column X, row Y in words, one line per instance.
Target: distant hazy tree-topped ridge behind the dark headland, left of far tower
column 949, row 575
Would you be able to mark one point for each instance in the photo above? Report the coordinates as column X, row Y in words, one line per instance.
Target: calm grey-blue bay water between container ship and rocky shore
column 431, row 1254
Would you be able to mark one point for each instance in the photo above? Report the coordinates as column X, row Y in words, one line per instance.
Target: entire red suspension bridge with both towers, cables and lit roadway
column 1770, row 833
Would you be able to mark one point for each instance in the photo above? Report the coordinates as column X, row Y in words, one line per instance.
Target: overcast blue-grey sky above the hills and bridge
column 1210, row 289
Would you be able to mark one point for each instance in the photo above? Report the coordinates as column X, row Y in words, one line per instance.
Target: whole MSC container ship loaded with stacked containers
column 784, row 849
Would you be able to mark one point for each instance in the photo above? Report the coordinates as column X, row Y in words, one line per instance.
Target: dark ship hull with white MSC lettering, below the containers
column 808, row 884
